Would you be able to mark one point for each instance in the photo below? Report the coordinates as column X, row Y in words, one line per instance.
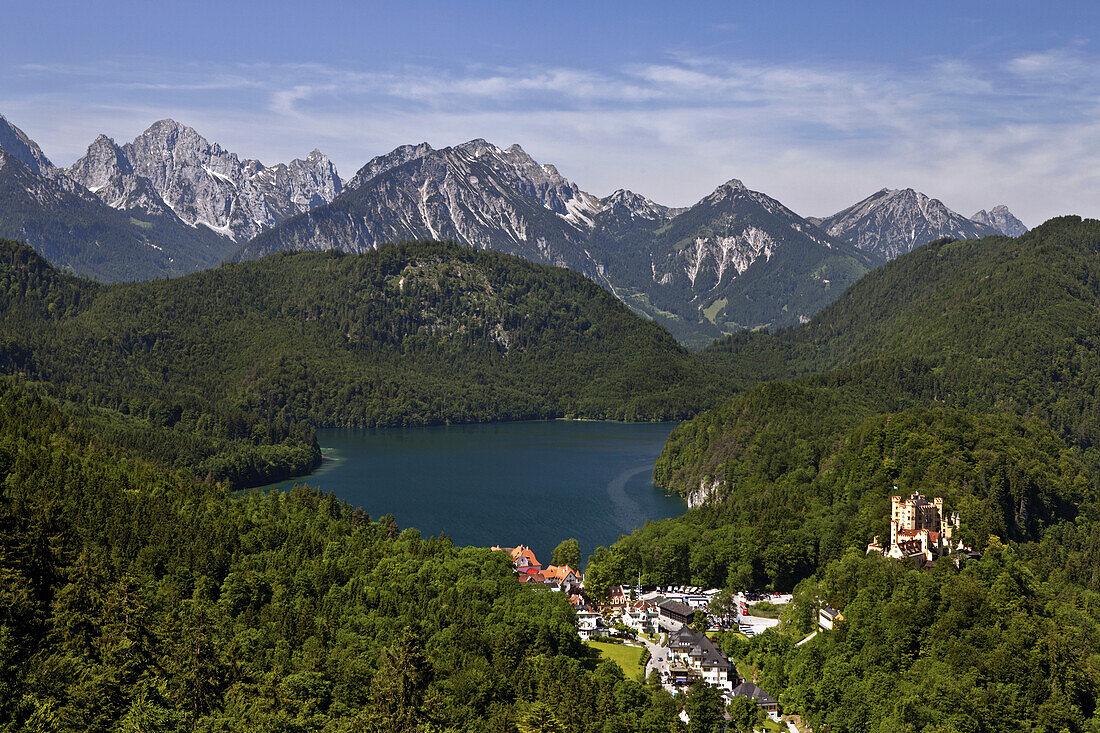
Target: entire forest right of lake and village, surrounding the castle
column 965, row 370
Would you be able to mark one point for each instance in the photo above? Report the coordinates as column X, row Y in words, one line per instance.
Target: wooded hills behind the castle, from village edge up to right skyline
column 967, row 369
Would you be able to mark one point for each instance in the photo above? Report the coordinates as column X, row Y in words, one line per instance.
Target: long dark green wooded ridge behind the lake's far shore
column 412, row 334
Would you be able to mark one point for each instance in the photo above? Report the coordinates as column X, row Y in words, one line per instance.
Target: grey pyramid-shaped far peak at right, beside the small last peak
column 894, row 222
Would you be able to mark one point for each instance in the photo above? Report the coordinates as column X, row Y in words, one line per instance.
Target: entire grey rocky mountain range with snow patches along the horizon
column 170, row 202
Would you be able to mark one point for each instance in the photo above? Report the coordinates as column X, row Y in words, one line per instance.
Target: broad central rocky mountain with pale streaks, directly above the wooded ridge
column 475, row 194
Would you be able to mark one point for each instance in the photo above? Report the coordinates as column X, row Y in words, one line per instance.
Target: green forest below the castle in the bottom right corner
column 1009, row 643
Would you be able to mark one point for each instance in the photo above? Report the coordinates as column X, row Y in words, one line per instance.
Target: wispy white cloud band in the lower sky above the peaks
column 1022, row 132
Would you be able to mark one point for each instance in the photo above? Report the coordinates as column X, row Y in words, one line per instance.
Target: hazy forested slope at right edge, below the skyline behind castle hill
column 987, row 324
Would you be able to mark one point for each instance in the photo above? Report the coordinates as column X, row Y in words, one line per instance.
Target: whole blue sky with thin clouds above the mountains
column 817, row 104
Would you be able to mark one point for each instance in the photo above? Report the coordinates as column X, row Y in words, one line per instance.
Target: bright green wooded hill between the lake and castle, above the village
column 804, row 490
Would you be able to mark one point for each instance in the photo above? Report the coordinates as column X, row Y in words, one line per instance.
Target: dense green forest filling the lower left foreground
column 134, row 599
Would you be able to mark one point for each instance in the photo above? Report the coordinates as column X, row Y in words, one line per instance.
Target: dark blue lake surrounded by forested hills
column 507, row 484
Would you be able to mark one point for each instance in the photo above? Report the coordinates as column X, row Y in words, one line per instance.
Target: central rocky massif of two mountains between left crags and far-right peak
column 689, row 269
